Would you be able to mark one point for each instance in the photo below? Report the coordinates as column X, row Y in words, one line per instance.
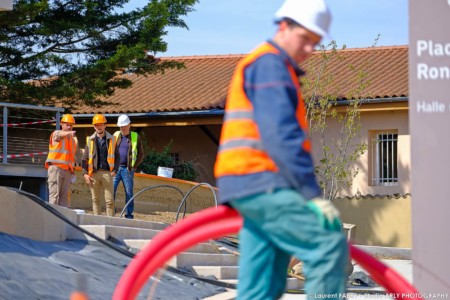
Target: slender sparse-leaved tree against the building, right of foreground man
column 335, row 169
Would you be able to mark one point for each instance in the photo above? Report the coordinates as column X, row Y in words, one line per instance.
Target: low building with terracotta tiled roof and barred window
column 186, row 107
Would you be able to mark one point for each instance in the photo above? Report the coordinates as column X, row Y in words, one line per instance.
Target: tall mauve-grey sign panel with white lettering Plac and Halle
column 429, row 111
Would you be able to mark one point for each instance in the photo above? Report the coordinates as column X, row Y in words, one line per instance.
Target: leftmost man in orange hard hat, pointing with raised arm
column 61, row 161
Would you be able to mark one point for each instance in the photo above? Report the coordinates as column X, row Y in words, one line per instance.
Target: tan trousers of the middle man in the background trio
column 102, row 180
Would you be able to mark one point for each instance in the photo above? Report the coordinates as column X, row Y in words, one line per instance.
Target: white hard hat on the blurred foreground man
column 314, row 15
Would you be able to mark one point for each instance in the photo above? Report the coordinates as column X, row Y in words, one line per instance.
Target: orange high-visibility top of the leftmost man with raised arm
column 62, row 154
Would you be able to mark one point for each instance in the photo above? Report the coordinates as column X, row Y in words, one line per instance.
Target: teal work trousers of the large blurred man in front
column 278, row 225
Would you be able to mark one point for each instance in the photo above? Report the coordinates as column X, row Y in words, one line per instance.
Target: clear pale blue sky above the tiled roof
column 237, row 26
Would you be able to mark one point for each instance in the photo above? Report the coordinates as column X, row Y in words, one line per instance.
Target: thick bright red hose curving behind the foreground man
column 213, row 223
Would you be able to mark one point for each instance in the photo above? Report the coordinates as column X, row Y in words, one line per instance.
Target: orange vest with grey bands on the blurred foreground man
column 241, row 151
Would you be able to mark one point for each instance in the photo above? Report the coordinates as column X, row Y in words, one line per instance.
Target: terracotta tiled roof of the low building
column 203, row 84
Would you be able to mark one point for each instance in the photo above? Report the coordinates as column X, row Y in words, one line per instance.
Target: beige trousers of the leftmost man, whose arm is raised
column 58, row 185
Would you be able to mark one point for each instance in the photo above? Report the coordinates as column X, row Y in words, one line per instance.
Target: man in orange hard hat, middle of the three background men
column 100, row 164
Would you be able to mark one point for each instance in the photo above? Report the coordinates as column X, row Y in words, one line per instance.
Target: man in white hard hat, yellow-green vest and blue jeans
column 131, row 155
